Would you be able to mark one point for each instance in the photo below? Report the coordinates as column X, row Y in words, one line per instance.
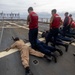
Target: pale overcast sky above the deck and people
column 21, row 6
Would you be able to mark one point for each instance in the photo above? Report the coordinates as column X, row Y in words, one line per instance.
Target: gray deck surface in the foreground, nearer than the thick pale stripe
column 11, row 65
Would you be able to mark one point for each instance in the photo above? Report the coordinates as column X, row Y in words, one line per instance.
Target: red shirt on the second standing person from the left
column 56, row 21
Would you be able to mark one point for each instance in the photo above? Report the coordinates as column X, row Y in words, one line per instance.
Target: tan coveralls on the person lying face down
column 25, row 51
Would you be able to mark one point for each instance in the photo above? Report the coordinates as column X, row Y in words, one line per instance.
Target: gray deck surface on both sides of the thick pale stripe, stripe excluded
column 11, row 64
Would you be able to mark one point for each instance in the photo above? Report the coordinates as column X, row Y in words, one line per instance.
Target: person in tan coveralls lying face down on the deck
column 25, row 51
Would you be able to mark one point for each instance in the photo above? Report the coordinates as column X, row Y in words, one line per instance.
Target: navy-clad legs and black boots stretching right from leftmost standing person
column 42, row 47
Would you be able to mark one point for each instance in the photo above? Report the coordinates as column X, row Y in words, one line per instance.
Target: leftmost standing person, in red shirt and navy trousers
column 32, row 21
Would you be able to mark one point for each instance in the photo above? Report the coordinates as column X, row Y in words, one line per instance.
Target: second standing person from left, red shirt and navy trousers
column 55, row 23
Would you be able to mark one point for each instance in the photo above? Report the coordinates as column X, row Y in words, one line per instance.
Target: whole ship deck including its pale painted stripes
column 10, row 62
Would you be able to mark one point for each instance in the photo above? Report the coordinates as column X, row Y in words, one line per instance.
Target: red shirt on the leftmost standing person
column 34, row 20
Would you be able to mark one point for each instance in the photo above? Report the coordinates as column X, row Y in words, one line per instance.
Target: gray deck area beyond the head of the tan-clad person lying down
column 7, row 36
